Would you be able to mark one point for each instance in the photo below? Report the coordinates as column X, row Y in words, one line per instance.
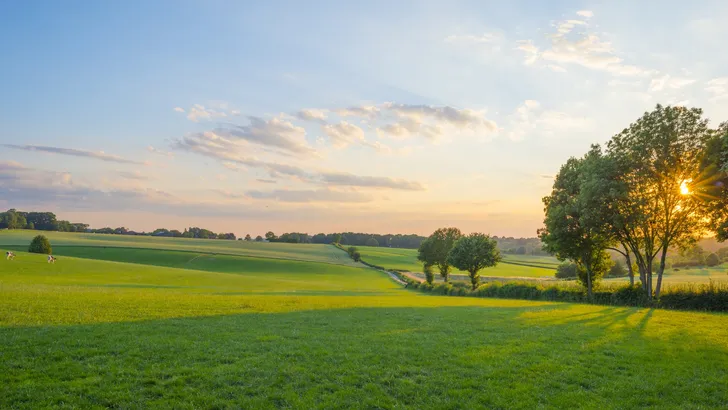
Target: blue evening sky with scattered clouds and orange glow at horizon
column 326, row 116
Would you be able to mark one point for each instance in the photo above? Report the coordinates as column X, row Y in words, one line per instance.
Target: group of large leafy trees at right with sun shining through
column 659, row 185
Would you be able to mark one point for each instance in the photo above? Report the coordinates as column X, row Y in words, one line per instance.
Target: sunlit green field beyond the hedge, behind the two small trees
column 512, row 265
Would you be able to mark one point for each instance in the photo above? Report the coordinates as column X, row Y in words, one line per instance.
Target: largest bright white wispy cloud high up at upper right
column 588, row 50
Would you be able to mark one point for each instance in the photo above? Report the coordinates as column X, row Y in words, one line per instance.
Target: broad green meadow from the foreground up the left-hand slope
column 181, row 328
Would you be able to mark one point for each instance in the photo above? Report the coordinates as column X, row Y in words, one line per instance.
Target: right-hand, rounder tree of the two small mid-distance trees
column 472, row 253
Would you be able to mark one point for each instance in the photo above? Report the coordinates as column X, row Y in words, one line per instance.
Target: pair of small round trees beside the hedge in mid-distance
column 448, row 247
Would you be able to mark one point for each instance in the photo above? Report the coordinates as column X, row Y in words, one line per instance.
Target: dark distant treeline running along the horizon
column 47, row 221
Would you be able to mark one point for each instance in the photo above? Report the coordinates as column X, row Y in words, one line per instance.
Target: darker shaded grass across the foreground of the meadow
column 444, row 357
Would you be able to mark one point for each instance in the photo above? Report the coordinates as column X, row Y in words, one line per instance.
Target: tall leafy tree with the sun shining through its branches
column 665, row 186
